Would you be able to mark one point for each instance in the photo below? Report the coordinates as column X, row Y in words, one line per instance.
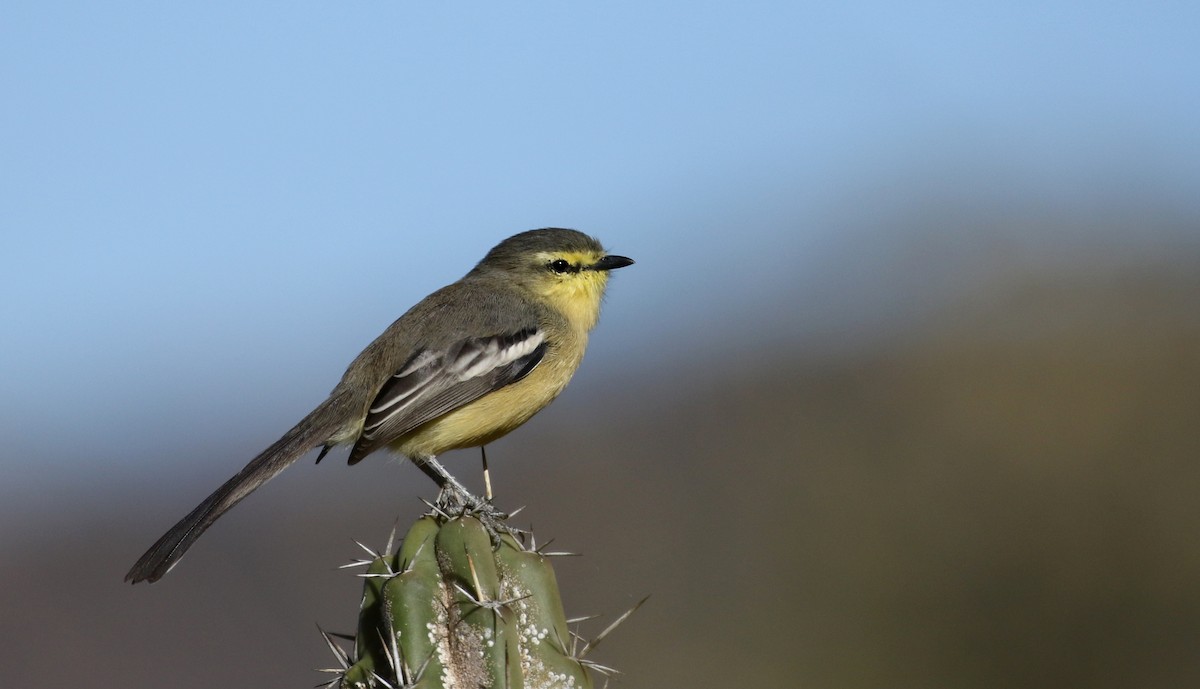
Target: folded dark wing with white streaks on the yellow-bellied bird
column 434, row 382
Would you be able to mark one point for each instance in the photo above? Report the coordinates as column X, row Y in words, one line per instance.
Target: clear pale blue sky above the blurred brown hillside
column 205, row 205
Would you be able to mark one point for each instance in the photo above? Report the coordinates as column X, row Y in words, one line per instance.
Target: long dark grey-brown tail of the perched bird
column 315, row 429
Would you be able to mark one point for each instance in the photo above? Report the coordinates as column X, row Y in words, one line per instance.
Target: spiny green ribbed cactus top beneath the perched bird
column 454, row 608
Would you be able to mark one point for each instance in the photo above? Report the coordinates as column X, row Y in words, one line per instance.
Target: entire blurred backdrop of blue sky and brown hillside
column 903, row 392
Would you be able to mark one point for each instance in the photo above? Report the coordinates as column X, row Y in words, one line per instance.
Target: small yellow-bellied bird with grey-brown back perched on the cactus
column 465, row 367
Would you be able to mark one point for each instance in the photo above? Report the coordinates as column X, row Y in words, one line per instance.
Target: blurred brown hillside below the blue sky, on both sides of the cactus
column 1004, row 495
